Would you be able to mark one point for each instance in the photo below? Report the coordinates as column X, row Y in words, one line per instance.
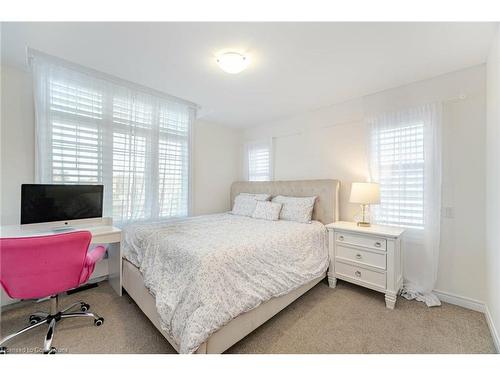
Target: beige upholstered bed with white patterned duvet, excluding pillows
column 208, row 281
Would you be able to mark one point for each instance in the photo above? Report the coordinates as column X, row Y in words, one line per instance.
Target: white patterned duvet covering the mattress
column 204, row 271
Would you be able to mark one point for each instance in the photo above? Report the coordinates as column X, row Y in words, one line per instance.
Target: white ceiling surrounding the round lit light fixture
column 295, row 66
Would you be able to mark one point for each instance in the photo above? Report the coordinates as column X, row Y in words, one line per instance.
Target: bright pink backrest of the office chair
column 36, row 267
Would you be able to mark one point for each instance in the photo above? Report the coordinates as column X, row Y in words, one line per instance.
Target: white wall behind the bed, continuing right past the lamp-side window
column 331, row 143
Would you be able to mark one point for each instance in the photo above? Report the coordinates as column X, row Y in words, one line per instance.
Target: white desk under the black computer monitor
column 102, row 230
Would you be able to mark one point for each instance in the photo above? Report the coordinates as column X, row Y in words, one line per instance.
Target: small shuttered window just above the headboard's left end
column 259, row 161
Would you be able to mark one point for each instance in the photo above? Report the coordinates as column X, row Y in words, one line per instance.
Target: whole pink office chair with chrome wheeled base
column 45, row 266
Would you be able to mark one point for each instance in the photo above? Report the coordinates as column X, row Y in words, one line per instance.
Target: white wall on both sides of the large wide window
column 216, row 153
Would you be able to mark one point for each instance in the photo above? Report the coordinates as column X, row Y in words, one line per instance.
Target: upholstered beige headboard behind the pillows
column 326, row 208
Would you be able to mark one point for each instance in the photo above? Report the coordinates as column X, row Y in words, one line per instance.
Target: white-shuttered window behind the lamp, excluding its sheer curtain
column 399, row 154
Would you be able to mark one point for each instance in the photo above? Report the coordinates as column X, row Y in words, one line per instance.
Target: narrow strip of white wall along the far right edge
column 493, row 188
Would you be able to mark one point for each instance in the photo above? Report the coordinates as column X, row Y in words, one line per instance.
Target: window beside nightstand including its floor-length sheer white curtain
column 406, row 159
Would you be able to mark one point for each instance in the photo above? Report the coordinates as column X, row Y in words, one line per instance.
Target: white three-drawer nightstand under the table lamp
column 367, row 256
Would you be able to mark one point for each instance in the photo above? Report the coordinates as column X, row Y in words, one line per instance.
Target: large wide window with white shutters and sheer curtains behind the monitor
column 92, row 128
